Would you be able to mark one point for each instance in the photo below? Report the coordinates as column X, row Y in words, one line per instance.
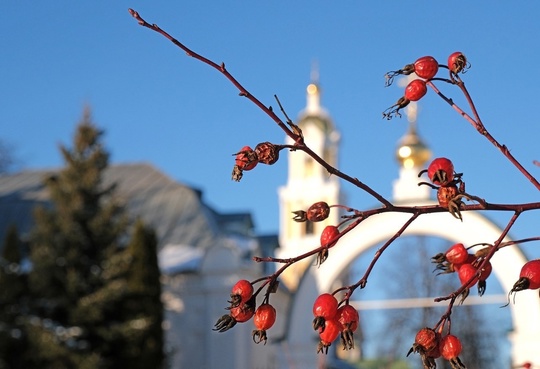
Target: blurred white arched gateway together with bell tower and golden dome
column 308, row 184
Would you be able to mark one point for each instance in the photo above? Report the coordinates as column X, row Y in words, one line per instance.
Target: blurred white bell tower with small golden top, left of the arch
column 308, row 183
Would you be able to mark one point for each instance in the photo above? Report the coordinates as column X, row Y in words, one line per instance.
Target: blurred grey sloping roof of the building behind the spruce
column 173, row 209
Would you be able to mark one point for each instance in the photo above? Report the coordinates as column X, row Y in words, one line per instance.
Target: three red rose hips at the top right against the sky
column 426, row 69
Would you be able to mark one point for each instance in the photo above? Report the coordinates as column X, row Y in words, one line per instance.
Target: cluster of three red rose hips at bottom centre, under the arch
column 332, row 321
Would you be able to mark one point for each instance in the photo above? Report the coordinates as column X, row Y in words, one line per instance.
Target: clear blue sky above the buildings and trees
column 159, row 106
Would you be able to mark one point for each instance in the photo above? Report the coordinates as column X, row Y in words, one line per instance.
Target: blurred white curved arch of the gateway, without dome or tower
column 475, row 228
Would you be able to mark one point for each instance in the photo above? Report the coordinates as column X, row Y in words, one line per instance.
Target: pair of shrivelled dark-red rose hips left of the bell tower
column 248, row 158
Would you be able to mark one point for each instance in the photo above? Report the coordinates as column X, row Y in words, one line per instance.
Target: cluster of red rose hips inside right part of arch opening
column 467, row 266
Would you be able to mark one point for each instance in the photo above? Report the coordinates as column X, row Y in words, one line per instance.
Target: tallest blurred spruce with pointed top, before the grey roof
column 80, row 266
